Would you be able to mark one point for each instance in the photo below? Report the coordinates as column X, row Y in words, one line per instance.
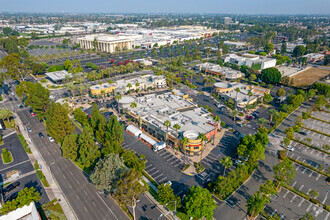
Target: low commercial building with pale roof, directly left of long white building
column 215, row 69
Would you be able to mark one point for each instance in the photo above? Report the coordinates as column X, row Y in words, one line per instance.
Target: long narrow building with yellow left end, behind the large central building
column 122, row 86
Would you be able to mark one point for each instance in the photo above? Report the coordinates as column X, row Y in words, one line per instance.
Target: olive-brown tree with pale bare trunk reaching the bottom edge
column 129, row 188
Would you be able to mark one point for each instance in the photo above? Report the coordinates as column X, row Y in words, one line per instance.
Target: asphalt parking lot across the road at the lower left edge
column 26, row 174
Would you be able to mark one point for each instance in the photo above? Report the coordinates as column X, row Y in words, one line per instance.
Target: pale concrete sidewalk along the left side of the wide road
column 55, row 191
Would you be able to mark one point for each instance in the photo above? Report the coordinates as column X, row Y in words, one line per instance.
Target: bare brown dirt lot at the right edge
column 309, row 76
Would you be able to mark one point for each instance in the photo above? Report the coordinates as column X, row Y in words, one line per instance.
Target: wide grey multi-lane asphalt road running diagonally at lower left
column 82, row 195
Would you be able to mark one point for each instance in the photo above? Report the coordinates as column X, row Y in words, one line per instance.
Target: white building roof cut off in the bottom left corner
column 27, row 212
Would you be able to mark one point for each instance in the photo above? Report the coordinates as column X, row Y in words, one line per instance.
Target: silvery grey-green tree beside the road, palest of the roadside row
column 107, row 173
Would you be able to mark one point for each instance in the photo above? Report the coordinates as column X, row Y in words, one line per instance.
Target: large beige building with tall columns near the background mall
column 107, row 43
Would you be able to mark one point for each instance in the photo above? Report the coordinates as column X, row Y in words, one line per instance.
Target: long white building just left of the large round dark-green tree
column 251, row 59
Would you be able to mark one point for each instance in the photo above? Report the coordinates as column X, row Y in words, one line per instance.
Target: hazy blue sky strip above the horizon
column 176, row 6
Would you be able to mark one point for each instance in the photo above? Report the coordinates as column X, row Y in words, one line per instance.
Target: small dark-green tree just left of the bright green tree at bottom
column 165, row 195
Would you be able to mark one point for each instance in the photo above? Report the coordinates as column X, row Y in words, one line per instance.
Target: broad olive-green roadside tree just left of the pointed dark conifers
column 58, row 124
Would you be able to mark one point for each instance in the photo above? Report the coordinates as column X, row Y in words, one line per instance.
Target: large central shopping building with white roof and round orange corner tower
column 153, row 110
